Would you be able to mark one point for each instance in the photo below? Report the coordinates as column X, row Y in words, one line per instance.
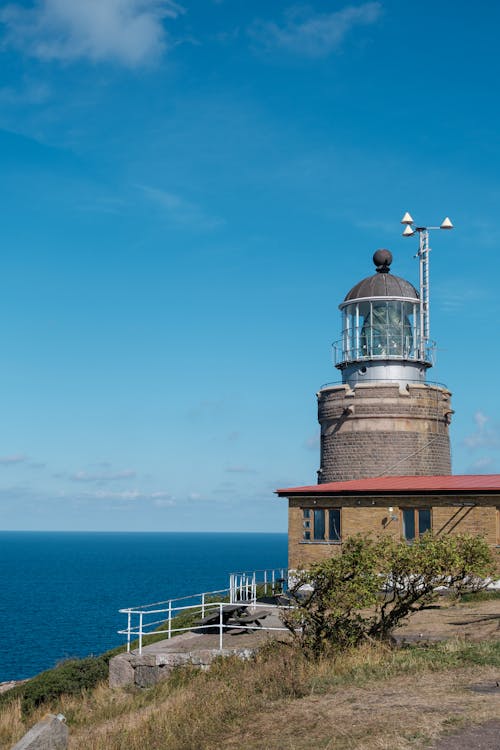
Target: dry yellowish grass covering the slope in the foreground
column 373, row 697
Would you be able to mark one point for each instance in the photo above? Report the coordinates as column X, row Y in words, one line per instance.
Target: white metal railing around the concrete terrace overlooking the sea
column 244, row 587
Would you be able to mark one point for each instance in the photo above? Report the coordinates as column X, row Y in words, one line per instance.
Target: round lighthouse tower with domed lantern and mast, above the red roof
column 385, row 418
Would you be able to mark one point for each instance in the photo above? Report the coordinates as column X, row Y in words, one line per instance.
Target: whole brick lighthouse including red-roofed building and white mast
column 385, row 448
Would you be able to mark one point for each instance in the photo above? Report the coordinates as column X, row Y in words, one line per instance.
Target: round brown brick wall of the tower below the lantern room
column 382, row 429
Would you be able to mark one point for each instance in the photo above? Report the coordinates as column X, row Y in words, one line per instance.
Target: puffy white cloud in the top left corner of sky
column 129, row 32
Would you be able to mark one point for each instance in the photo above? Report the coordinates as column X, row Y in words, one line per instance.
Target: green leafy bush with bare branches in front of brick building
column 374, row 585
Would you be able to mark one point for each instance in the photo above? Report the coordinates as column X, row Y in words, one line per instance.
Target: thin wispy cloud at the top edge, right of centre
column 314, row 34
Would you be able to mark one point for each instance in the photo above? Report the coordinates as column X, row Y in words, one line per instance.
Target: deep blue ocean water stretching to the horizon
column 60, row 591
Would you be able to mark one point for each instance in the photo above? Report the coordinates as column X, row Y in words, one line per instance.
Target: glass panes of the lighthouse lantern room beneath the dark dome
column 381, row 329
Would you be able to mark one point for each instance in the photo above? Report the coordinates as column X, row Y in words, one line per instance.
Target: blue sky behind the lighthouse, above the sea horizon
column 188, row 191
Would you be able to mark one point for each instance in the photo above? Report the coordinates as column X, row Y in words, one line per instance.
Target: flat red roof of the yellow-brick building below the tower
column 377, row 485
